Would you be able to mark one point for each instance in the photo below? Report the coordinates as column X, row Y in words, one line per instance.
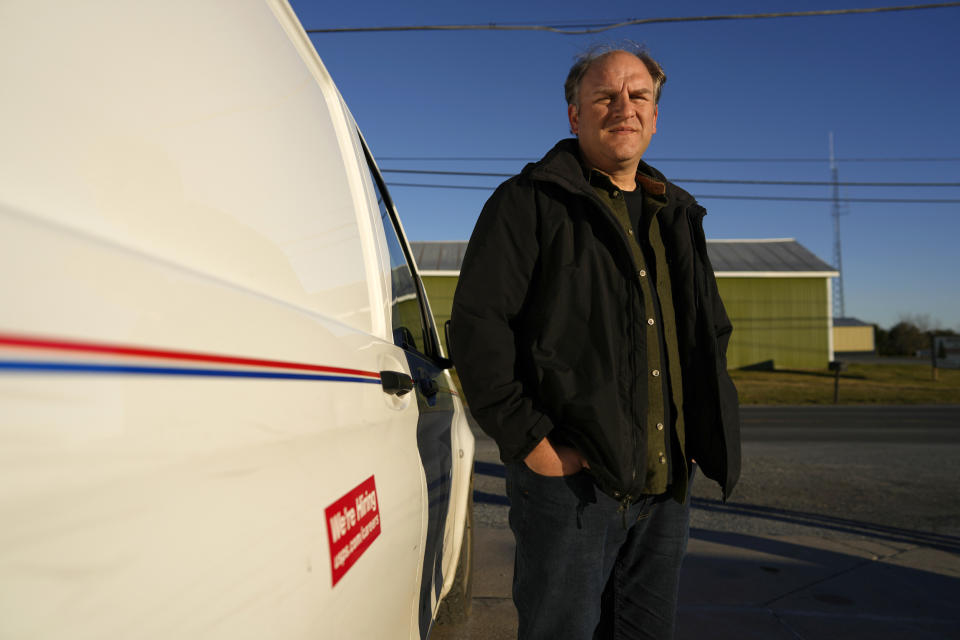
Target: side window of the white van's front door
column 409, row 329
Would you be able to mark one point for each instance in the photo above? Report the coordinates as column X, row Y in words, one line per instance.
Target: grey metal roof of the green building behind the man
column 774, row 257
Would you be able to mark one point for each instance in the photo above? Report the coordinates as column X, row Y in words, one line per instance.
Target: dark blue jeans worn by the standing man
column 586, row 569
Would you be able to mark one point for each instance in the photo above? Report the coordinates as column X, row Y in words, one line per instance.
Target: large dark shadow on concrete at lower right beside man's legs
column 762, row 587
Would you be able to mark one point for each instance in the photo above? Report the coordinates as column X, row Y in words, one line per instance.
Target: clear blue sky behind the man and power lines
column 886, row 84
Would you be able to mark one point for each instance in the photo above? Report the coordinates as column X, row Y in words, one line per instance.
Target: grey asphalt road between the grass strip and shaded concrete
column 891, row 466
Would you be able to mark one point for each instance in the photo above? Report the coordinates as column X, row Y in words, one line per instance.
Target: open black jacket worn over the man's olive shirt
column 547, row 330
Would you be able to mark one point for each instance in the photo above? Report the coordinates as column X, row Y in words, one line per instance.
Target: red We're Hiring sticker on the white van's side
column 353, row 523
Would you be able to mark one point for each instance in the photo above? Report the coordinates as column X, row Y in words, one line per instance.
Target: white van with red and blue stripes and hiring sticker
column 224, row 410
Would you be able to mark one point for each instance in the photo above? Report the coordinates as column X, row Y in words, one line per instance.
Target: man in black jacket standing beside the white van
column 590, row 340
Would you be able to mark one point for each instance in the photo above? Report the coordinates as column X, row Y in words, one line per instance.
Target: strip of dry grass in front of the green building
column 859, row 384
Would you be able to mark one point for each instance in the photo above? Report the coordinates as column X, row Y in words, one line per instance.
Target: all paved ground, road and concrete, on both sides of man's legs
column 843, row 526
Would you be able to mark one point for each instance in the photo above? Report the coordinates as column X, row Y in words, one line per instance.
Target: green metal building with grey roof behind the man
column 777, row 294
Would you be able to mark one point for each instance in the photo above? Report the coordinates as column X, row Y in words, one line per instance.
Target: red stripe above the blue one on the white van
column 33, row 342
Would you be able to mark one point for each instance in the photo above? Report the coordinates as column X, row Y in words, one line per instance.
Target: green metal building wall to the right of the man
column 785, row 320
